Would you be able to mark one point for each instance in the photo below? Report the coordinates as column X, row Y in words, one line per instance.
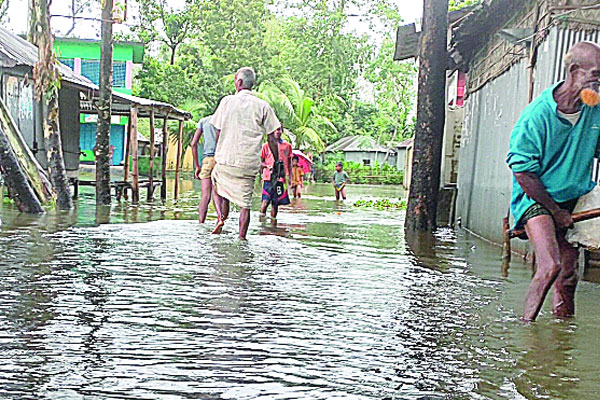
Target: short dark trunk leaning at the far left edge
column 21, row 191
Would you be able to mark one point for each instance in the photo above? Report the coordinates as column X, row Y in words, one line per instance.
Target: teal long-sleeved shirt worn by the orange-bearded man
column 560, row 154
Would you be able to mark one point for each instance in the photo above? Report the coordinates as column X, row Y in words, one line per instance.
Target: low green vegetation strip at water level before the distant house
column 359, row 173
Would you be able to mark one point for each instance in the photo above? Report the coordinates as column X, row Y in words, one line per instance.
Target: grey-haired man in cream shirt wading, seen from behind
column 241, row 120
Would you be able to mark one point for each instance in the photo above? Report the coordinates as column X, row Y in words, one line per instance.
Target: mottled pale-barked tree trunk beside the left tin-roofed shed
column 47, row 83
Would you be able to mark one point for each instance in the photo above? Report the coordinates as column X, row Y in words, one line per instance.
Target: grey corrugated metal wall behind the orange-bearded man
column 484, row 182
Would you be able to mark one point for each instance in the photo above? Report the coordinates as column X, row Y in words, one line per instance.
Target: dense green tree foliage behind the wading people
column 324, row 81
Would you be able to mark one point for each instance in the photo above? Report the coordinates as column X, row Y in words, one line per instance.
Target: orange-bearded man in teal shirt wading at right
column 551, row 152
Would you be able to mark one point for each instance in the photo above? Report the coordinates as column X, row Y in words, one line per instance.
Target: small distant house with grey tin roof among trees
column 363, row 150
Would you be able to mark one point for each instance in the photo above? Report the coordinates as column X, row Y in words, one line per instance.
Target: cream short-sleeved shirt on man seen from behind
column 243, row 119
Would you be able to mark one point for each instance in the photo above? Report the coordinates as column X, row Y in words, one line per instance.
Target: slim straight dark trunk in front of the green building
column 102, row 150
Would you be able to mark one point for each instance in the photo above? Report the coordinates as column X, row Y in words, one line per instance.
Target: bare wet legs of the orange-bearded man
column 555, row 257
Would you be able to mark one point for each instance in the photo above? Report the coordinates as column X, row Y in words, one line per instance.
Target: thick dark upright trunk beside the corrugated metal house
column 422, row 200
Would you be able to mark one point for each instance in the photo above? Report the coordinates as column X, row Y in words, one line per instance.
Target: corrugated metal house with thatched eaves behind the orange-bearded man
column 509, row 51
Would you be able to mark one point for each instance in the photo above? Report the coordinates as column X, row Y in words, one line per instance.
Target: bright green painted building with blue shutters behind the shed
column 83, row 57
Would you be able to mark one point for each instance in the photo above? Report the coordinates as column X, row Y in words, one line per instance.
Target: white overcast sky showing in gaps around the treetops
column 17, row 18
